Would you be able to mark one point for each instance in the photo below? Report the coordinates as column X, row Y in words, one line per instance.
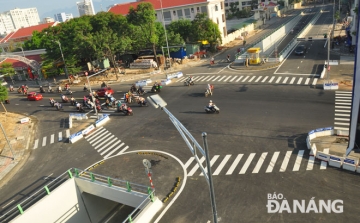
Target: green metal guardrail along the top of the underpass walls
column 41, row 193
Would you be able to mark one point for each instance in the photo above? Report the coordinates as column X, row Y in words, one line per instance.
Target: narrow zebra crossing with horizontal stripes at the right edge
column 342, row 110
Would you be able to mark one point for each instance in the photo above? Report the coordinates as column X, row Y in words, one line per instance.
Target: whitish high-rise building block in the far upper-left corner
column 18, row 18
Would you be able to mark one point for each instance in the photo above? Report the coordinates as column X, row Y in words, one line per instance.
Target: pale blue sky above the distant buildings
column 47, row 8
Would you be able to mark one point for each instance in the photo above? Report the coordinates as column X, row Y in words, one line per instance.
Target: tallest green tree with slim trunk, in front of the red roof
column 144, row 17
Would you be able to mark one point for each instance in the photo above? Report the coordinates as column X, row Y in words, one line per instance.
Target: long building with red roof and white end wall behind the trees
column 181, row 9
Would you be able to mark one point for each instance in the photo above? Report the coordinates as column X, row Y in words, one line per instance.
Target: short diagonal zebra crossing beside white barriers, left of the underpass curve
column 105, row 143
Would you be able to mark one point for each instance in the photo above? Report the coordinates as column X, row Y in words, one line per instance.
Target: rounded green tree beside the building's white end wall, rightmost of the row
column 205, row 29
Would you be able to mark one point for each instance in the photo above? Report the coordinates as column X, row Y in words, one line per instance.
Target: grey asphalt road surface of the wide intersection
column 258, row 141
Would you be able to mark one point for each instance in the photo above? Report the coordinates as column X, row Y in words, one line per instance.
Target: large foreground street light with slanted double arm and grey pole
column 157, row 101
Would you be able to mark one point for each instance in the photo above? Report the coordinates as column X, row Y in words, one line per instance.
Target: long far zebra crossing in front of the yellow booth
column 255, row 79
